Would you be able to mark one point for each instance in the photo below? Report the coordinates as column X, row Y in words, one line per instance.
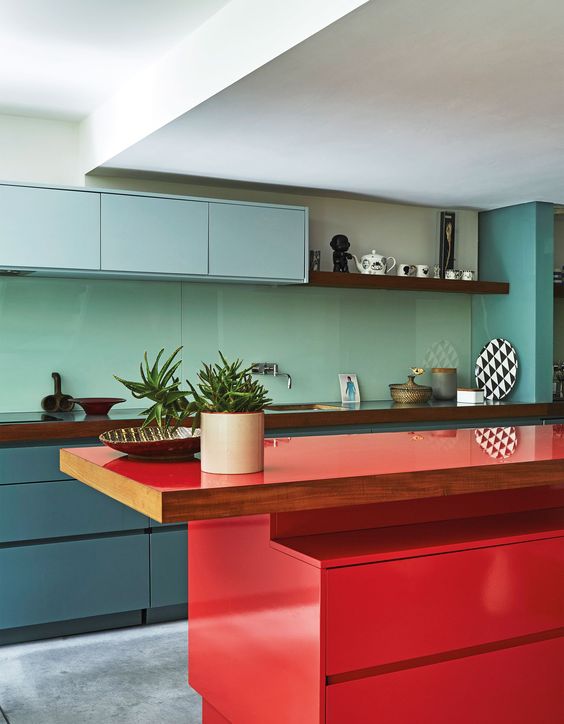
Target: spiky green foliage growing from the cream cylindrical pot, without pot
column 225, row 387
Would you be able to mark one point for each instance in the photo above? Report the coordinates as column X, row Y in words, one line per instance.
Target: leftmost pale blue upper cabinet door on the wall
column 49, row 228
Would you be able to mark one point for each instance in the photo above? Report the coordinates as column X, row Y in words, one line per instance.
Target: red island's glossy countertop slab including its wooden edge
column 327, row 471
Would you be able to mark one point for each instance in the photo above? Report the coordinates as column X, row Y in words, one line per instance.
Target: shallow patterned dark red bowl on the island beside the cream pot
column 150, row 442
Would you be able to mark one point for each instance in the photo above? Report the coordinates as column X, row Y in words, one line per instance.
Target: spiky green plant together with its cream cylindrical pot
column 228, row 405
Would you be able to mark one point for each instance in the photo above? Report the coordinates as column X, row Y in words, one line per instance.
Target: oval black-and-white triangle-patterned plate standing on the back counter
column 496, row 369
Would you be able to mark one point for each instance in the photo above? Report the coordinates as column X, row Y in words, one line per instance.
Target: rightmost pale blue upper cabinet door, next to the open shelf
column 257, row 242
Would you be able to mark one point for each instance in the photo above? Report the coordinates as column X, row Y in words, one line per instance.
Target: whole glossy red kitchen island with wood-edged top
column 413, row 578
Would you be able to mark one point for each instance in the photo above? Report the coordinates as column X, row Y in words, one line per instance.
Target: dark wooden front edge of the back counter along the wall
column 41, row 431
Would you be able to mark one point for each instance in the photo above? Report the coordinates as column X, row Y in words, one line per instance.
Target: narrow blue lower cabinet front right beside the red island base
column 169, row 567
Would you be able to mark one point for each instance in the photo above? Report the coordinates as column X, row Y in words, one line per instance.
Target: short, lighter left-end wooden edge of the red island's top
column 139, row 497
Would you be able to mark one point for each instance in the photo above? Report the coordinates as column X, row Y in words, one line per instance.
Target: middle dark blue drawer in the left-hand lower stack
column 66, row 508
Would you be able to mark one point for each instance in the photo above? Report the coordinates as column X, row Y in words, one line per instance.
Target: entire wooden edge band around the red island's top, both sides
column 206, row 503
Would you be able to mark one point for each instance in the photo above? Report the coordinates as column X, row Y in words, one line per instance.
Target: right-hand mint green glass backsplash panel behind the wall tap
column 313, row 334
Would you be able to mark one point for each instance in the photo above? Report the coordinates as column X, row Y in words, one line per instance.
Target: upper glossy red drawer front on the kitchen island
column 386, row 612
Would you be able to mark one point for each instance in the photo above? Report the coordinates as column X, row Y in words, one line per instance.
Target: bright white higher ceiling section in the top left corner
column 62, row 58
